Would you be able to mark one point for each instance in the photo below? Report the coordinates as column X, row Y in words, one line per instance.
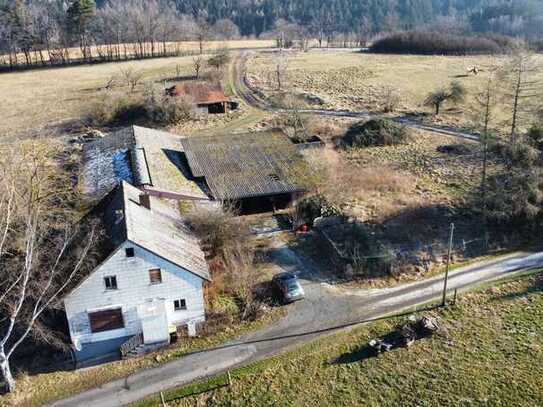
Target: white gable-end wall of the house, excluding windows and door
column 134, row 288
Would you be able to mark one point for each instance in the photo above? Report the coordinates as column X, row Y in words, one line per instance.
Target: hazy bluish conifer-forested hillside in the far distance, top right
column 255, row 17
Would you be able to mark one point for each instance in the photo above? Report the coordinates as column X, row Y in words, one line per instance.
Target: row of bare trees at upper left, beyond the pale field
column 58, row 32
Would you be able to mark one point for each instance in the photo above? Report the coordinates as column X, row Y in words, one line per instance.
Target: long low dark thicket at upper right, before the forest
column 431, row 43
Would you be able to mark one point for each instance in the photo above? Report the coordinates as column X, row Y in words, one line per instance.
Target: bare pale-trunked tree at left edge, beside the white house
column 38, row 261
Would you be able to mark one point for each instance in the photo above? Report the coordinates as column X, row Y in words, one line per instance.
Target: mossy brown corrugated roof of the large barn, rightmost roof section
column 246, row 165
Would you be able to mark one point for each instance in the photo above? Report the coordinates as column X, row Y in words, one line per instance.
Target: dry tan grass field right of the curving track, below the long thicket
column 356, row 81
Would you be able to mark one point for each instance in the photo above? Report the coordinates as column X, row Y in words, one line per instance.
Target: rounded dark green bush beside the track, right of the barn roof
column 378, row 132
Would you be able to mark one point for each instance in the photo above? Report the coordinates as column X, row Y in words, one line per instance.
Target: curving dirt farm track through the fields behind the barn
column 256, row 99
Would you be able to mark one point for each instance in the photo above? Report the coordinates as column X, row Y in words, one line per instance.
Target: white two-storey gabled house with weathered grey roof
column 150, row 283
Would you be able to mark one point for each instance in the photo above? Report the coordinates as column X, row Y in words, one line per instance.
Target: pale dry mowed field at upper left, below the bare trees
column 39, row 99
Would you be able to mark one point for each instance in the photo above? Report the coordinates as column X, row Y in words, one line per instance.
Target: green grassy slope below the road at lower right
column 490, row 352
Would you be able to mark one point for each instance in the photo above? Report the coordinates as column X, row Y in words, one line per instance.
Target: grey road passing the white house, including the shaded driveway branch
column 327, row 309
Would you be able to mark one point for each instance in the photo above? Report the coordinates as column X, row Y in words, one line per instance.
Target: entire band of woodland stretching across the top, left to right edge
column 37, row 32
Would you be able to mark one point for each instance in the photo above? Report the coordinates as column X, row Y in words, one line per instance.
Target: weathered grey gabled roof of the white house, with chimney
column 159, row 230
